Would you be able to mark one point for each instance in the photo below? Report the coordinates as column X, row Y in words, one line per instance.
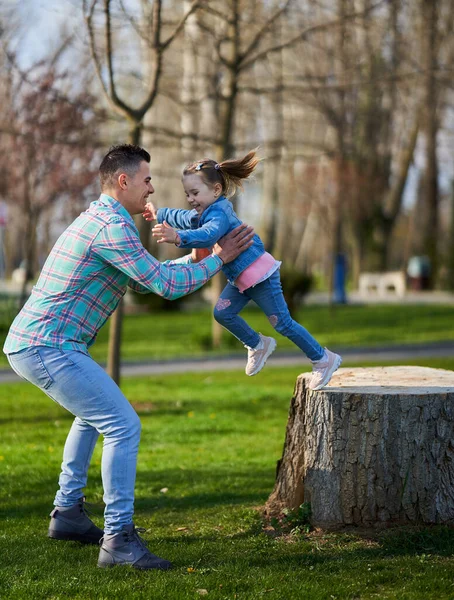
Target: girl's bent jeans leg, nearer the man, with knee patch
column 230, row 303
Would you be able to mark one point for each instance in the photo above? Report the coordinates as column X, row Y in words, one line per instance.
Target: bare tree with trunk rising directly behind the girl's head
column 236, row 36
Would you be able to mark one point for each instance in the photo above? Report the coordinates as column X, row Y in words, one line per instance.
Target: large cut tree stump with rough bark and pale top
column 374, row 448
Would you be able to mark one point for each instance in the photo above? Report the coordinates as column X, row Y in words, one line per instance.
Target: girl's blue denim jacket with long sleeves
column 205, row 230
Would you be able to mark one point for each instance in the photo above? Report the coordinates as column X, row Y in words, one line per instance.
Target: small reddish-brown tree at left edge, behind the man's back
column 47, row 151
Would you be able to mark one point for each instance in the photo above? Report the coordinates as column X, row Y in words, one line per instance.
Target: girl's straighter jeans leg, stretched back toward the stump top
column 269, row 296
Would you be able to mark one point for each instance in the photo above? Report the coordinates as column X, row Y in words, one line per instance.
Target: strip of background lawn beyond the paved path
column 167, row 335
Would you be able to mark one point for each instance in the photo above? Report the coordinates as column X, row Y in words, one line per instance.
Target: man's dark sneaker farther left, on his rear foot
column 72, row 523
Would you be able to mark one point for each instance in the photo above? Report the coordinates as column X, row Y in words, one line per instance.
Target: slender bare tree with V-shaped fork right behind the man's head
column 105, row 46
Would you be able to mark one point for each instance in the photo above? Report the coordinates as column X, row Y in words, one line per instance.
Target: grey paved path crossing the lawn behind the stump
column 351, row 356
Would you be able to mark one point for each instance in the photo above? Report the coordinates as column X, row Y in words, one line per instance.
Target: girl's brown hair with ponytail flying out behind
column 229, row 173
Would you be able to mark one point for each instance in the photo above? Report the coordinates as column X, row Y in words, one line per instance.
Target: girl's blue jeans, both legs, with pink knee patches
column 269, row 297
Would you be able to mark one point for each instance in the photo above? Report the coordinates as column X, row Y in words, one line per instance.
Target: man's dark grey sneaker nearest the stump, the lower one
column 127, row 548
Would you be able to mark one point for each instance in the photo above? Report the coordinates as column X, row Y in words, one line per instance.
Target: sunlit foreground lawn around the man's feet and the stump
column 213, row 440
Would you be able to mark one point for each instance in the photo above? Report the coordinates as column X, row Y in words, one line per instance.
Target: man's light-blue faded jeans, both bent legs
column 76, row 382
